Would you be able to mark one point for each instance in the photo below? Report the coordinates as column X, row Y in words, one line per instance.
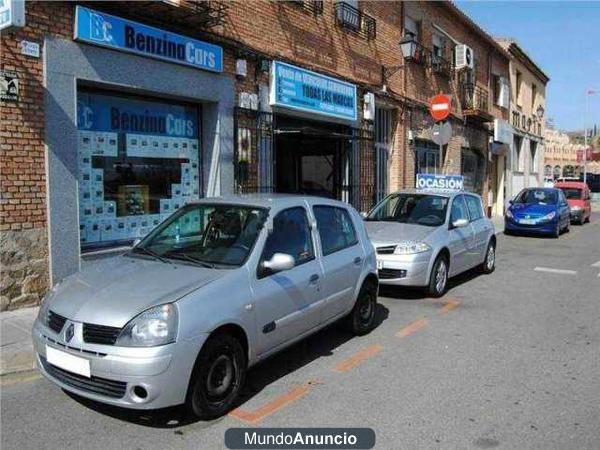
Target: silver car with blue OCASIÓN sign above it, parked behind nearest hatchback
column 422, row 238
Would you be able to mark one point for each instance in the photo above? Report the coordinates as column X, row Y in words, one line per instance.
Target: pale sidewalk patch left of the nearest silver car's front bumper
column 16, row 349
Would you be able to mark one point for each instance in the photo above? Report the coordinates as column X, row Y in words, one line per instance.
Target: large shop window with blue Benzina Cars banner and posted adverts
column 139, row 161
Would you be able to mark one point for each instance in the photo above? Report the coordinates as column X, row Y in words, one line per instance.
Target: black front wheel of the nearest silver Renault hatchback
column 217, row 378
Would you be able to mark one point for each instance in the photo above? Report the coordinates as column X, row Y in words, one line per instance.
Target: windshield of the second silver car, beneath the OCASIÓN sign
column 420, row 209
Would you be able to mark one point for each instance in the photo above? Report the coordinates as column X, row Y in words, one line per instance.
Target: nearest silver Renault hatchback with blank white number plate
column 219, row 286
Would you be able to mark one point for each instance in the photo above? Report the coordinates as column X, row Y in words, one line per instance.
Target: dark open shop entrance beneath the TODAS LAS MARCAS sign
column 310, row 157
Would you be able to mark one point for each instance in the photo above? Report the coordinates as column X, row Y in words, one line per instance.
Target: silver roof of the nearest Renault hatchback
column 269, row 200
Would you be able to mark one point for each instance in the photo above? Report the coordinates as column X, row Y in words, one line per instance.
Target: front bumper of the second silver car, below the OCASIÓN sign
column 416, row 268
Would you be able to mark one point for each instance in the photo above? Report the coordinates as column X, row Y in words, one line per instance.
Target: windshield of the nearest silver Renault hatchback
column 206, row 235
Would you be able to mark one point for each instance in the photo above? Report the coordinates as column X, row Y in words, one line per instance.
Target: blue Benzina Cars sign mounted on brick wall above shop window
column 121, row 34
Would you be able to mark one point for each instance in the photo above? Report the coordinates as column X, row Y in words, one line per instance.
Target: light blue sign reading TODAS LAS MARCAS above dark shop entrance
column 304, row 90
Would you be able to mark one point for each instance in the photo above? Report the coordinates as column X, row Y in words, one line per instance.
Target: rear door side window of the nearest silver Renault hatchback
column 335, row 228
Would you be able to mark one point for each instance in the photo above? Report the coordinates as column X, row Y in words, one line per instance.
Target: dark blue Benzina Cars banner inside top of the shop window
column 101, row 112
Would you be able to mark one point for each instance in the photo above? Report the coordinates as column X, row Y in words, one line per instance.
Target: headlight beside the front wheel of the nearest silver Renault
column 155, row 326
